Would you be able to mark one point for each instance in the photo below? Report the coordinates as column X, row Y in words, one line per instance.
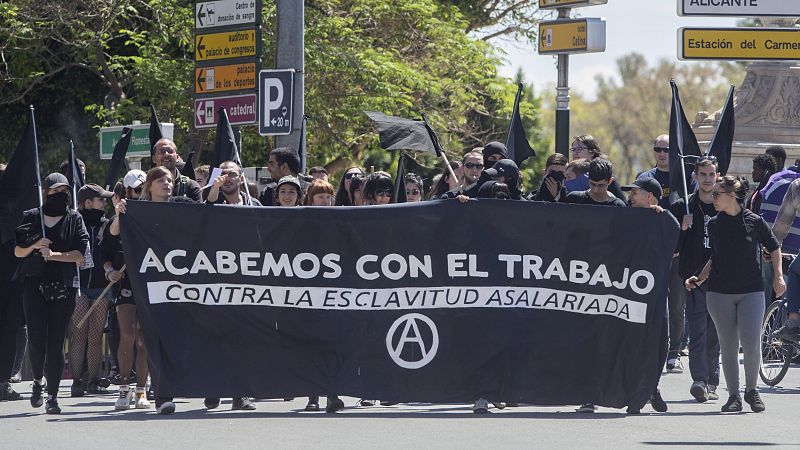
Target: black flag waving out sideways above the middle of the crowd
column 397, row 133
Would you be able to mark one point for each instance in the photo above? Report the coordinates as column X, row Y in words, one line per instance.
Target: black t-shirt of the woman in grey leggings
column 735, row 250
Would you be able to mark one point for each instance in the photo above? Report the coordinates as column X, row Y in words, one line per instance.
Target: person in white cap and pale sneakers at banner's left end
column 113, row 260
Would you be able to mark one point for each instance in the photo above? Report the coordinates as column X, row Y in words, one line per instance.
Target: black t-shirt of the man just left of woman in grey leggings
column 694, row 246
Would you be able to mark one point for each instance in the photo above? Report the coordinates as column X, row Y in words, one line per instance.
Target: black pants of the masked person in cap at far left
column 47, row 329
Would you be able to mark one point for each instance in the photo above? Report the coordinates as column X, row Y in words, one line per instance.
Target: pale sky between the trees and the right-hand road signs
column 649, row 27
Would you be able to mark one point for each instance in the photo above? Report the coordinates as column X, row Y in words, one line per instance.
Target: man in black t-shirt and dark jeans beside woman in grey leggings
column 694, row 249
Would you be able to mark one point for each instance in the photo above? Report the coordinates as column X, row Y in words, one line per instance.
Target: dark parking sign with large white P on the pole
column 275, row 102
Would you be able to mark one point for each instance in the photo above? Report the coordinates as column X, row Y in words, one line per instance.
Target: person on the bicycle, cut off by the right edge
column 786, row 234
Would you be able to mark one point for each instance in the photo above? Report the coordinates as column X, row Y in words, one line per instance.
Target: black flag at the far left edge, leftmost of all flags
column 19, row 185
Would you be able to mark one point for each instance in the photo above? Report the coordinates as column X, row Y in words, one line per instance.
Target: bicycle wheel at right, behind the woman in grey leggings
column 776, row 356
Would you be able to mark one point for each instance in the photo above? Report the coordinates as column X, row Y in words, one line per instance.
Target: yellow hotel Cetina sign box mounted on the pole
column 572, row 36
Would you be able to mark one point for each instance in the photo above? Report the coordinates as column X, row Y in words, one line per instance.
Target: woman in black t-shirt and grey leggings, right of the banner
column 735, row 297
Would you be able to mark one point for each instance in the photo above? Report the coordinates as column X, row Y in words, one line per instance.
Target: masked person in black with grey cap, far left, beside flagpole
column 49, row 242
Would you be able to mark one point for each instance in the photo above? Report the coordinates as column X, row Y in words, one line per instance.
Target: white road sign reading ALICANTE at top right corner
column 751, row 8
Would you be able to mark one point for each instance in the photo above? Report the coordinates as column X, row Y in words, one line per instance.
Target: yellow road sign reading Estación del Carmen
column 743, row 44
